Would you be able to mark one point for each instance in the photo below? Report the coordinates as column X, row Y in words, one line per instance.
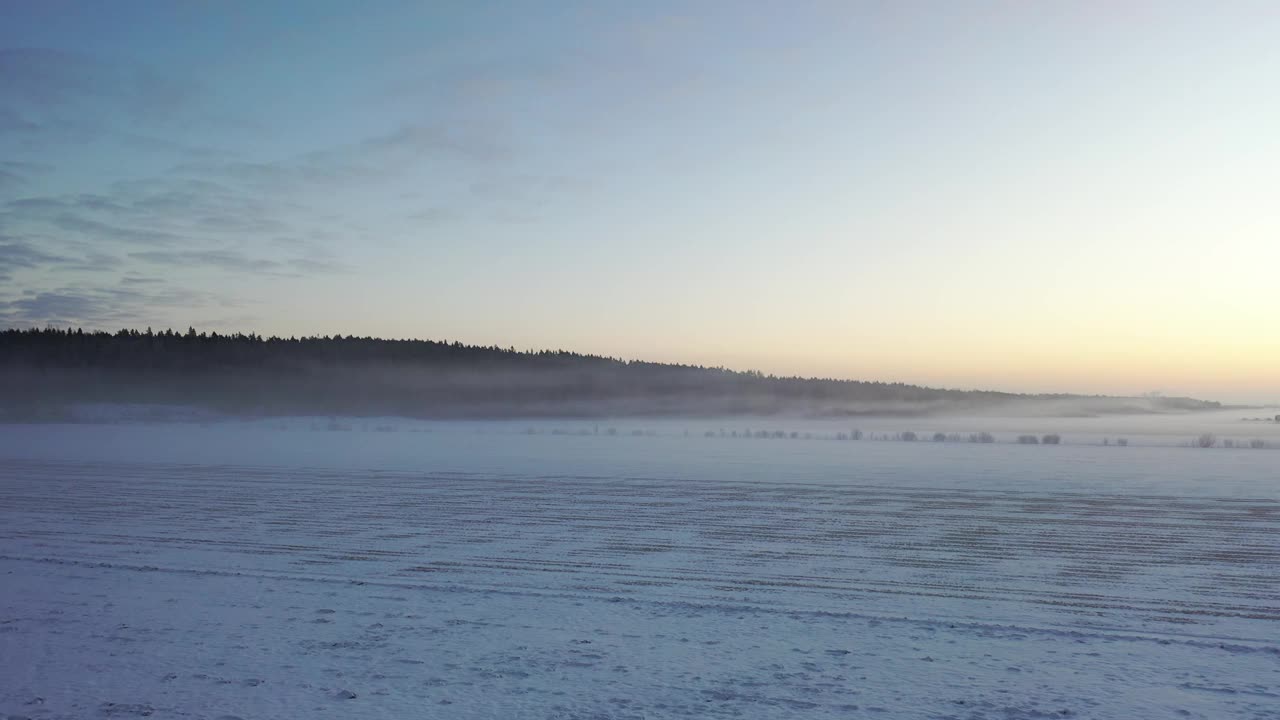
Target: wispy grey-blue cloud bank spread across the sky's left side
column 205, row 206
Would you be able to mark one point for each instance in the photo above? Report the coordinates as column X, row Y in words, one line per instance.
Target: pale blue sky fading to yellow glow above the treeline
column 1027, row 197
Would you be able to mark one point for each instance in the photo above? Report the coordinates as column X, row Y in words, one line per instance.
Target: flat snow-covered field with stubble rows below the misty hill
column 387, row 569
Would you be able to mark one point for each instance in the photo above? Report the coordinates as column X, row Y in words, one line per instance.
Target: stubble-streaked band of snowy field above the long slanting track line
column 1146, row 564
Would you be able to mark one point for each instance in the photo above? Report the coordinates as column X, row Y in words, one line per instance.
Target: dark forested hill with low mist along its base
column 45, row 370
